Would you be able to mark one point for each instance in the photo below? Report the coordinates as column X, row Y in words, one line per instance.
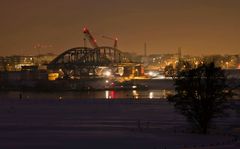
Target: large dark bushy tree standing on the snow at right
column 201, row 95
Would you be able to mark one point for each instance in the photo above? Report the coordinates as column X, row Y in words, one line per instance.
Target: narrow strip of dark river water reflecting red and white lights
column 134, row 94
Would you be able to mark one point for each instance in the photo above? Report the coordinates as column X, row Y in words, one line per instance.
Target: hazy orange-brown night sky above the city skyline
column 200, row 27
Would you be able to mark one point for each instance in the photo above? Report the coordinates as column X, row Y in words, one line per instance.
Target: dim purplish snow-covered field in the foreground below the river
column 101, row 123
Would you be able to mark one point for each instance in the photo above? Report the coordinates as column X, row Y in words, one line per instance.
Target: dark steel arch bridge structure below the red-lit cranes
column 82, row 60
